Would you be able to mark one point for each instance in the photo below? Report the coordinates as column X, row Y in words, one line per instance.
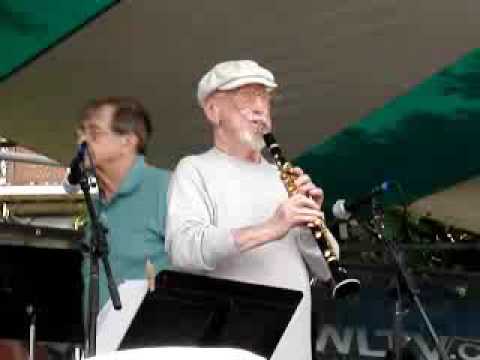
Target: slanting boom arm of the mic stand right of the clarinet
column 403, row 278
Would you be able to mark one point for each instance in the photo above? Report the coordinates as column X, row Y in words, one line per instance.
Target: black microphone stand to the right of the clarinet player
column 404, row 286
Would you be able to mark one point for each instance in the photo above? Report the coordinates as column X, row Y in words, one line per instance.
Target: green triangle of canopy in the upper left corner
column 29, row 27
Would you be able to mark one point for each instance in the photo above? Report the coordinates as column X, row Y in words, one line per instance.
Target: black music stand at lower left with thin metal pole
column 41, row 295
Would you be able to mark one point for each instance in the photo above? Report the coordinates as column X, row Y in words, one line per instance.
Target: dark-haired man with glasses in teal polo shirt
column 132, row 199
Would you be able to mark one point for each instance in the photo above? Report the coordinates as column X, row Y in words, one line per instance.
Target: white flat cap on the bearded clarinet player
column 230, row 75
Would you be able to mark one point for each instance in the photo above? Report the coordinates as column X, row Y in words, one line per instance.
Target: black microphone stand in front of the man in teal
column 97, row 249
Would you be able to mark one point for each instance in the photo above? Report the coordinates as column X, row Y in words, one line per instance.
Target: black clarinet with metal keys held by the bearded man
column 340, row 284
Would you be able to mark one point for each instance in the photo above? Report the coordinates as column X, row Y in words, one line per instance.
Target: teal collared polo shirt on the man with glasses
column 135, row 219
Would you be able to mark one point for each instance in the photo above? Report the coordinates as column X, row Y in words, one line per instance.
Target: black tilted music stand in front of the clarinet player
column 193, row 310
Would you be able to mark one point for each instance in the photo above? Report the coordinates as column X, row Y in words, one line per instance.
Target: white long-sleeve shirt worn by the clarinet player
column 212, row 193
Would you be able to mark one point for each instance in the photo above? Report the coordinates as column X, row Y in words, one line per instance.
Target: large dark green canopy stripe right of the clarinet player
column 427, row 139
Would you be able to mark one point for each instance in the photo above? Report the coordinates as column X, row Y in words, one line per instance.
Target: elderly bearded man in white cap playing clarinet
column 229, row 214
